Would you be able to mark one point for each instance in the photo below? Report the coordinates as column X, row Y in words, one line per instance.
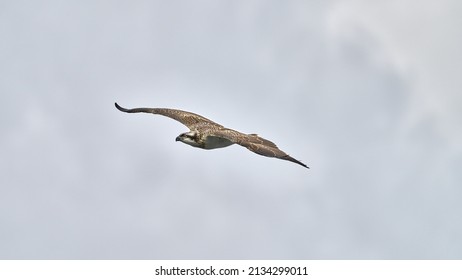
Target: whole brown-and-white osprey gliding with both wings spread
column 206, row 134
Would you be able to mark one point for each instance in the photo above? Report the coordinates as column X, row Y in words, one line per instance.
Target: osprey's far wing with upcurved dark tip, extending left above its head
column 189, row 119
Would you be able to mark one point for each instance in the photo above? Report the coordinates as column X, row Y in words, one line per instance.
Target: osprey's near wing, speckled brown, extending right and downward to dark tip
column 256, row 144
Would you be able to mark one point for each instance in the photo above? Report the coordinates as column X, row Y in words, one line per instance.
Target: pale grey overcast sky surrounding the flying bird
column 366, row 93
